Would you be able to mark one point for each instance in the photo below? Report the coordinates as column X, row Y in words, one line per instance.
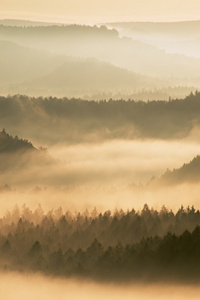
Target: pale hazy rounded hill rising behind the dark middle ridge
column 91, row 74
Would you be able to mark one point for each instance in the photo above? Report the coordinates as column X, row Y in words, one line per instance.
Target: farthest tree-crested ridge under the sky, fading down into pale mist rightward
column 105, row 45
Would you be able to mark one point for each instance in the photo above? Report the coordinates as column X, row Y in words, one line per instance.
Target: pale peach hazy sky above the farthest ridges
column 91, row 11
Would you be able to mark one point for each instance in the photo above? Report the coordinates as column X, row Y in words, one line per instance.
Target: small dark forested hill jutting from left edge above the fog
column 8, row 144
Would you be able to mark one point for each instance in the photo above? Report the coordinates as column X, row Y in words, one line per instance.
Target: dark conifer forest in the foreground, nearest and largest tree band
column 108, row 246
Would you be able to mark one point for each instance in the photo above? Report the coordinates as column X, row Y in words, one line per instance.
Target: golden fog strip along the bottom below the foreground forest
column 31, row 287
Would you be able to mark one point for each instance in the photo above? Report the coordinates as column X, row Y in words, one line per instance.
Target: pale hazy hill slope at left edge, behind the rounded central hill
column 18, row 63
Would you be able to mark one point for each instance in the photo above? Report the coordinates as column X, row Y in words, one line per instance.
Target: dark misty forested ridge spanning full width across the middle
column 77, row 120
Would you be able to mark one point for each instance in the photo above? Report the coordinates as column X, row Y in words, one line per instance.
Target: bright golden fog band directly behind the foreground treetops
column 103, row 198
